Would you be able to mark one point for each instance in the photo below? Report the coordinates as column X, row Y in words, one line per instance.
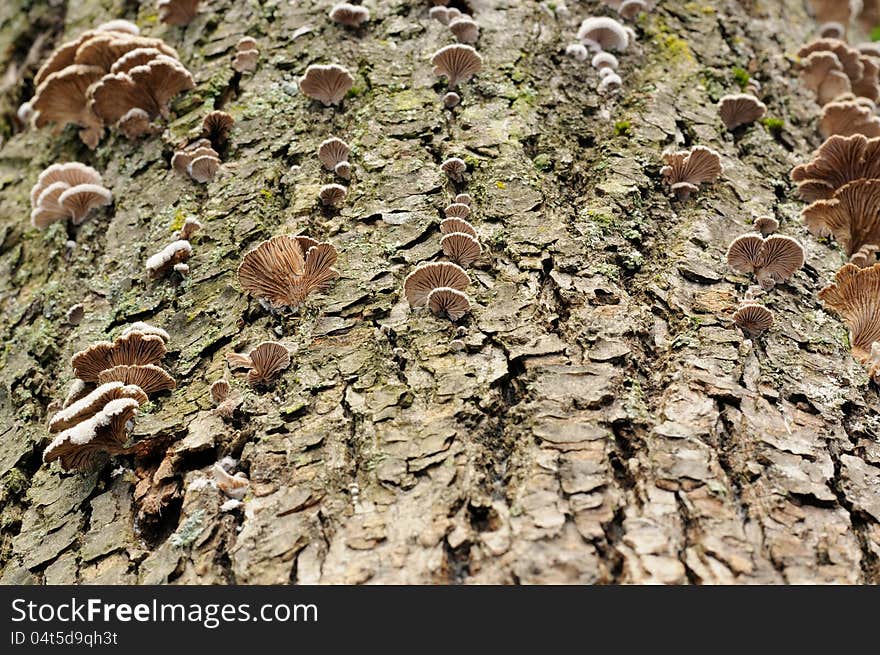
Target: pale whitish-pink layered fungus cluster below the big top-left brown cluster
column 67, row 192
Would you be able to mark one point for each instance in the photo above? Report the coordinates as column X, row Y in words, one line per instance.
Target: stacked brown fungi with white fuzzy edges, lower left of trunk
column 113, row 380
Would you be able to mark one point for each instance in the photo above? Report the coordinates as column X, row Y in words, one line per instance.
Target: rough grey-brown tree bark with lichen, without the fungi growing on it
column 604, row 422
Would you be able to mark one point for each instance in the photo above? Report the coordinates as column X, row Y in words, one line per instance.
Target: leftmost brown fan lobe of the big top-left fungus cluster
column 62, row 98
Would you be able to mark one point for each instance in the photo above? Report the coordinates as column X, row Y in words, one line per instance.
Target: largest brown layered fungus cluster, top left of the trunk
column 109, row 76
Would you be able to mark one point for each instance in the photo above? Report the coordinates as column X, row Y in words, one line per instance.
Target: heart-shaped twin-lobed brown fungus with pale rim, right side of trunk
column 772, row 260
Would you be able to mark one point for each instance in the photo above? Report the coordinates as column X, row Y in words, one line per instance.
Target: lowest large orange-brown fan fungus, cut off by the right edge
column 855, row 297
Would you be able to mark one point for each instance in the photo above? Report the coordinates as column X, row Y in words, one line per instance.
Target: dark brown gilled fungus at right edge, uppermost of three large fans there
column 837, row 161
